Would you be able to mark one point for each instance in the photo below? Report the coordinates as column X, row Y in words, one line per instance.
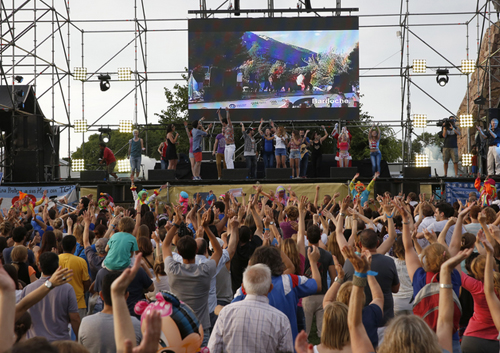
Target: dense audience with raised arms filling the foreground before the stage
column 263, row 273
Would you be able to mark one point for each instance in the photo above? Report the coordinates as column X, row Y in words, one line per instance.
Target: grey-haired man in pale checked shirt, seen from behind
column 252, row 325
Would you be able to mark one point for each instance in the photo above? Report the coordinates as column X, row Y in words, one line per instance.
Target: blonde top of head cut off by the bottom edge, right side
column 409, row 333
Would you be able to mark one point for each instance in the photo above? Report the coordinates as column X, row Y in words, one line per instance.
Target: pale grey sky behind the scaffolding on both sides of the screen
column 101, row 32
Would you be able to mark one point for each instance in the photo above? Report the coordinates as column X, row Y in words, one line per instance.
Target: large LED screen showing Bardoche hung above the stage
column 274, row 68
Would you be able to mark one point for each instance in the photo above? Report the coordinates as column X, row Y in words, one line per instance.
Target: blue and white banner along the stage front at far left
column 10, row 194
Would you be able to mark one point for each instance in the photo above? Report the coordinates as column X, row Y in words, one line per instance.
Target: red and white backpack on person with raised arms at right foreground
column 426, row 303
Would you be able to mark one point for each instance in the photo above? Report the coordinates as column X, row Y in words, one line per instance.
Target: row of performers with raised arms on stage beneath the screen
column 276, row 148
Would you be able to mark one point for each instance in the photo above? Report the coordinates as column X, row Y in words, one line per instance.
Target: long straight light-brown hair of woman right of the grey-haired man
column 335, row 333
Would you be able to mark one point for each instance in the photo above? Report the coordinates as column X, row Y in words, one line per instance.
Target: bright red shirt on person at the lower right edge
column 481, row 324
